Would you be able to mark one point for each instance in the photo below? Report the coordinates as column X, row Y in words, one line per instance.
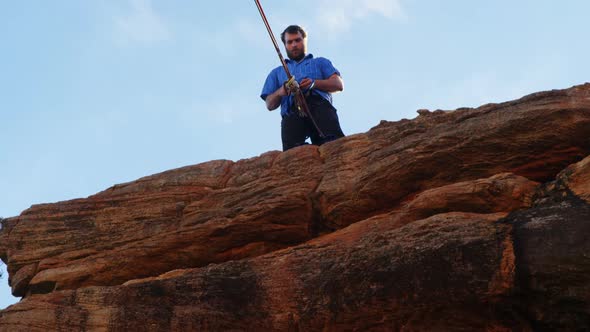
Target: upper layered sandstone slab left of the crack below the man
column 189, row 217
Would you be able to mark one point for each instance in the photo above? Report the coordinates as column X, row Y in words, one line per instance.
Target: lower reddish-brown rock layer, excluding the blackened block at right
column 450, row 265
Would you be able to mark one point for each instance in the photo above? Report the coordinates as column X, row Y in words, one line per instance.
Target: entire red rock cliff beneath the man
column 473, row 219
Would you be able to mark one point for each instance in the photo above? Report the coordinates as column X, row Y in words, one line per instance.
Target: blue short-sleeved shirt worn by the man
column 310, row 67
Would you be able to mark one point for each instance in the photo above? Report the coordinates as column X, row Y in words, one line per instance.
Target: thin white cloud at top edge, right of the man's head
column 340, row 16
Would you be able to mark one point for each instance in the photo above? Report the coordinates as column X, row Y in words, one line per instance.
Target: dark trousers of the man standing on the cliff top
column 295, row 129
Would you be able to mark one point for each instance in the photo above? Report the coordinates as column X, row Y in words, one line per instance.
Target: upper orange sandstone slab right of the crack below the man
column 535, row 137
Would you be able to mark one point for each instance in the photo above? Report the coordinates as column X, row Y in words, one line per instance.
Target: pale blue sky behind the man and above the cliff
column 94, row 93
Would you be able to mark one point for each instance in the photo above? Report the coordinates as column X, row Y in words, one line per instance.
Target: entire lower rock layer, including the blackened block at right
column 449, row 272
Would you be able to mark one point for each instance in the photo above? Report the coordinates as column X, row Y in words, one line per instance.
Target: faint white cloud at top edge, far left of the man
column 142, row 25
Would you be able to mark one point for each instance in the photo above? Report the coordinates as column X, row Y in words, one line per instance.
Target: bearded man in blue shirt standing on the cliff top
column 317, row 79
